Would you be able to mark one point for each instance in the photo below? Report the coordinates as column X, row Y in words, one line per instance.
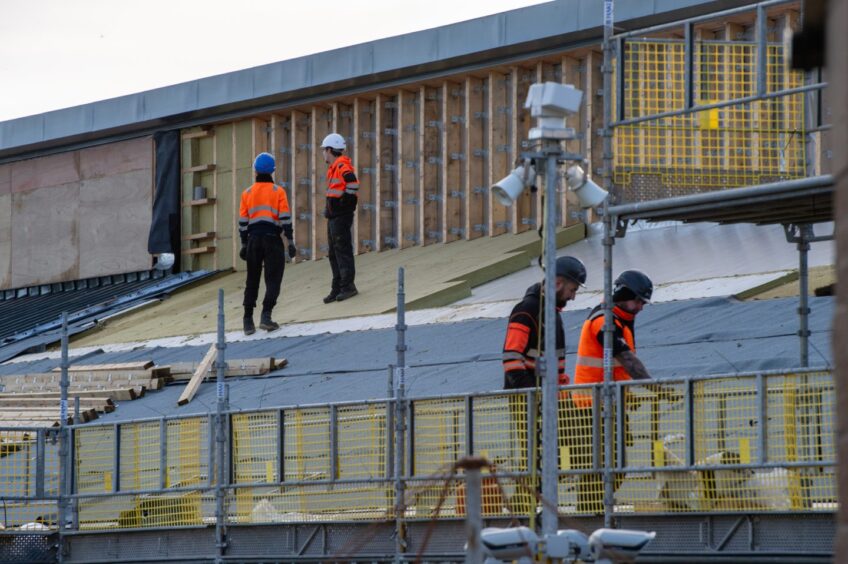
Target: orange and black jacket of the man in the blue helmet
column 264, row 210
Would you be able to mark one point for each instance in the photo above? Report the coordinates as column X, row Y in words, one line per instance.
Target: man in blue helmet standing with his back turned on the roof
column 264, row 215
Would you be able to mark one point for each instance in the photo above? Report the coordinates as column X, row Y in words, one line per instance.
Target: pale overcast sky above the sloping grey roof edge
column 62, row 53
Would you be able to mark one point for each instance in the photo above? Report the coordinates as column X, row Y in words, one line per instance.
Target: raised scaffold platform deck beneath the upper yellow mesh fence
column 806, row 200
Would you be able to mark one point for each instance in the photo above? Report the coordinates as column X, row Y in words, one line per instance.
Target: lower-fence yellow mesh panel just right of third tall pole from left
column 439, row 434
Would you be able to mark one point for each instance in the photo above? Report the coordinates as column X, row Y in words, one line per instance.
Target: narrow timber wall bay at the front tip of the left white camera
column 499, row 160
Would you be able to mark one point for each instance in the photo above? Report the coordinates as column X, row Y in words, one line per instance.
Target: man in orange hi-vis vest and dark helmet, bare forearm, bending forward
column 631, row 291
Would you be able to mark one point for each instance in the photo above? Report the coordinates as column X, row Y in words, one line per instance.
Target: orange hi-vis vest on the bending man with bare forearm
column 589, row 368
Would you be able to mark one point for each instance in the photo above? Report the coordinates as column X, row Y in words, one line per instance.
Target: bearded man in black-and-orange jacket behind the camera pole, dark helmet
column 522, row 345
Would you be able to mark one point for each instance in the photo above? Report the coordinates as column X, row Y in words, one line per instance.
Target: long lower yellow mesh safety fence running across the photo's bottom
column 751, row 443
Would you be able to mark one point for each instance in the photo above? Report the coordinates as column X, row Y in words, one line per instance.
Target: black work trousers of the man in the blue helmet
column 267, row 251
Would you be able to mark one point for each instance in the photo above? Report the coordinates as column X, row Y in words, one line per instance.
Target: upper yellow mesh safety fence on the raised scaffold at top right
column 741, row 144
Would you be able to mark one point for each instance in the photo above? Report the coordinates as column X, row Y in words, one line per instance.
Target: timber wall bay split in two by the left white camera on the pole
column 525, row 208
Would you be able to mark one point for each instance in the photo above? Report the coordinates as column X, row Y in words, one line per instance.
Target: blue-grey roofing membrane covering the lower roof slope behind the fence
column 674, row 339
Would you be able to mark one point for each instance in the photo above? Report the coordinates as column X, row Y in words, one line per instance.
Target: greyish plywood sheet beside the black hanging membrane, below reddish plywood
column 114, row 219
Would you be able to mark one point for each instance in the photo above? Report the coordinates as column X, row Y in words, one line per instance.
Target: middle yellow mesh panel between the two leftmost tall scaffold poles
column 140, row 456
